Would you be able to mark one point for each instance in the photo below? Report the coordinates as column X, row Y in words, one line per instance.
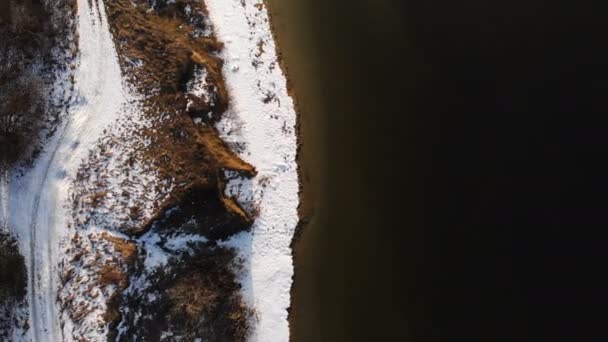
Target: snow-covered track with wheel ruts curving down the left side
column 36, row 201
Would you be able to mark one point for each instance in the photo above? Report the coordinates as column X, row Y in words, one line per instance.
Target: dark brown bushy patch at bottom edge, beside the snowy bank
column 198, row 296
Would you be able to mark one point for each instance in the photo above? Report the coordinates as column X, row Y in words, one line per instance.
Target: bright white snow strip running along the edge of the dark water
column 262, row 116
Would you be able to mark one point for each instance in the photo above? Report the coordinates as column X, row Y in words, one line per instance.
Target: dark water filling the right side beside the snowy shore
column 453, row 168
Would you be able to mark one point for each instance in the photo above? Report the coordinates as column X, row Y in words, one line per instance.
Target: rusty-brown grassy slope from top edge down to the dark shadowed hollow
column 161, row 49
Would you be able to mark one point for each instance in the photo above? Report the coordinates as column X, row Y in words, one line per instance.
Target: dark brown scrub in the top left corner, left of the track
column 27, row 35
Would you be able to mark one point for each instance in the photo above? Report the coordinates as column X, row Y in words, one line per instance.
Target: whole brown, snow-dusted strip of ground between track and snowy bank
column 149, row 202
